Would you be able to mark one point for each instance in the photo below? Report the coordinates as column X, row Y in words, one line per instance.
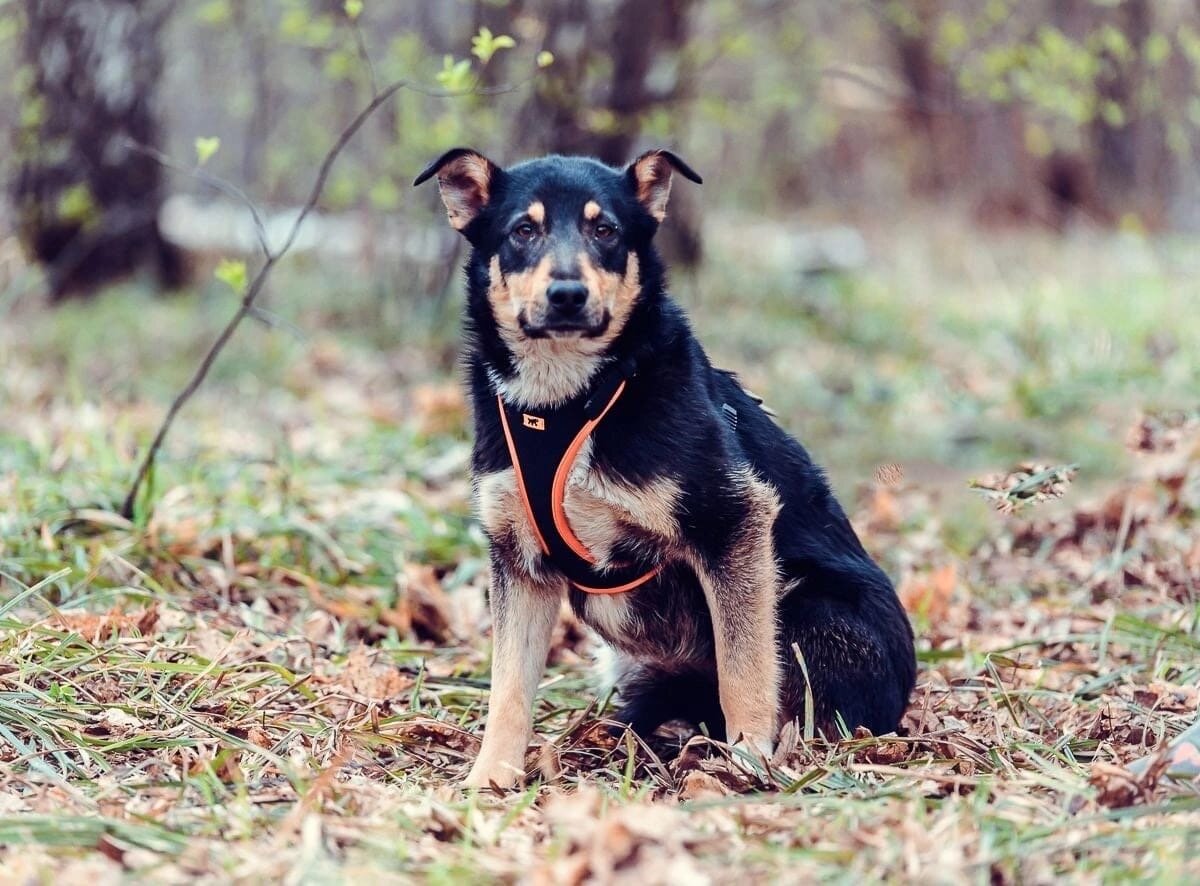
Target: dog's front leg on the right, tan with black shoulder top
column 736, row 565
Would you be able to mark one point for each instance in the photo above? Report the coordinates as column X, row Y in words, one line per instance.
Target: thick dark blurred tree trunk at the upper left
column 88, row 203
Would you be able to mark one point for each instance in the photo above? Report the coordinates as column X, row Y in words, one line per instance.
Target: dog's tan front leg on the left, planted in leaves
column 524, row 615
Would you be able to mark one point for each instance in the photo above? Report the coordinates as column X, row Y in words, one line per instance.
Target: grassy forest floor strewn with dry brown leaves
column 278, row 671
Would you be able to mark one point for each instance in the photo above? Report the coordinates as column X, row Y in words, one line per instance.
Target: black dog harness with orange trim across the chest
column 544, row 446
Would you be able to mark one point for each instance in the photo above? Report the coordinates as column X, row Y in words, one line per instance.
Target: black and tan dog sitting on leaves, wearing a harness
column 615, row 464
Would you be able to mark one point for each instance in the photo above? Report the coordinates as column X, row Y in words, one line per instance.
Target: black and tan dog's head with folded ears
column 561, row 238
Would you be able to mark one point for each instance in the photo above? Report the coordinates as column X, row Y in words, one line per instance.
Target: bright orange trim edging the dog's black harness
column 557, row 512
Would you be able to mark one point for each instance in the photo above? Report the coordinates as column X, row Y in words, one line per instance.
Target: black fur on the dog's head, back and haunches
column 836, row 604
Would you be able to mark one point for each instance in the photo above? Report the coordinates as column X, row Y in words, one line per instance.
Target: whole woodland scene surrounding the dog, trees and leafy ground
column 941, row 238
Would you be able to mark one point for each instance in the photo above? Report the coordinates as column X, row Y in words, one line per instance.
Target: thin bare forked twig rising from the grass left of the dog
column 254, row 290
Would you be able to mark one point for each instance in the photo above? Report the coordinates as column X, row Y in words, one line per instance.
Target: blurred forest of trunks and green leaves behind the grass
column 1018, row 113
